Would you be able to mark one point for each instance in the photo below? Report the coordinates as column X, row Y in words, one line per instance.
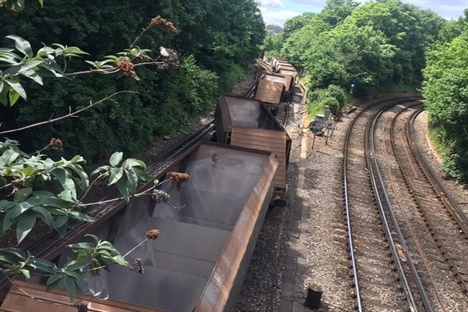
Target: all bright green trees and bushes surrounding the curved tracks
column 380, row 47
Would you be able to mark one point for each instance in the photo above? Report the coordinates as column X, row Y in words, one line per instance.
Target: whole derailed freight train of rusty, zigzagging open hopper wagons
column 208, row 224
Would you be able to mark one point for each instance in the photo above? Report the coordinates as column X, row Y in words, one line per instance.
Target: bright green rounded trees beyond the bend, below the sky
column 371, row 44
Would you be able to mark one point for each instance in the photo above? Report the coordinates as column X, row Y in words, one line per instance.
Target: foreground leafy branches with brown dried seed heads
column 35, row 187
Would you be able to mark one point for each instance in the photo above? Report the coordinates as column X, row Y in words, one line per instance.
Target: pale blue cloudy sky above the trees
column 276, row 12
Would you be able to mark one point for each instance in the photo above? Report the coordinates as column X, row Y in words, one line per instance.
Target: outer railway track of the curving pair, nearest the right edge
column 435, row 227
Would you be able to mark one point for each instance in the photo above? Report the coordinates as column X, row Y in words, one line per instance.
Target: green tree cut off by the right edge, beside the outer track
column 446, row 100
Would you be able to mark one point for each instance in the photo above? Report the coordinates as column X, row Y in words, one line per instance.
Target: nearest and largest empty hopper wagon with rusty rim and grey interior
column 208, row 231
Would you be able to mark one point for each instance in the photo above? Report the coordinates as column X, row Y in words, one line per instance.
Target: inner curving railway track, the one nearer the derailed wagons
column 378, row 279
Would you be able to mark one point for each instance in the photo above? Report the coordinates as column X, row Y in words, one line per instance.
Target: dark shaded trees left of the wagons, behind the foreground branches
column 215, row 42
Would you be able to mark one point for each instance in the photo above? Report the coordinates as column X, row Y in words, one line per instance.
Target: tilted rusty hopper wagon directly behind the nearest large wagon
column 248, row 123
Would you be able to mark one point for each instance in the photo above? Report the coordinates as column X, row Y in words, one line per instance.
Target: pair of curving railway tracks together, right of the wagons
column 406, row 238
